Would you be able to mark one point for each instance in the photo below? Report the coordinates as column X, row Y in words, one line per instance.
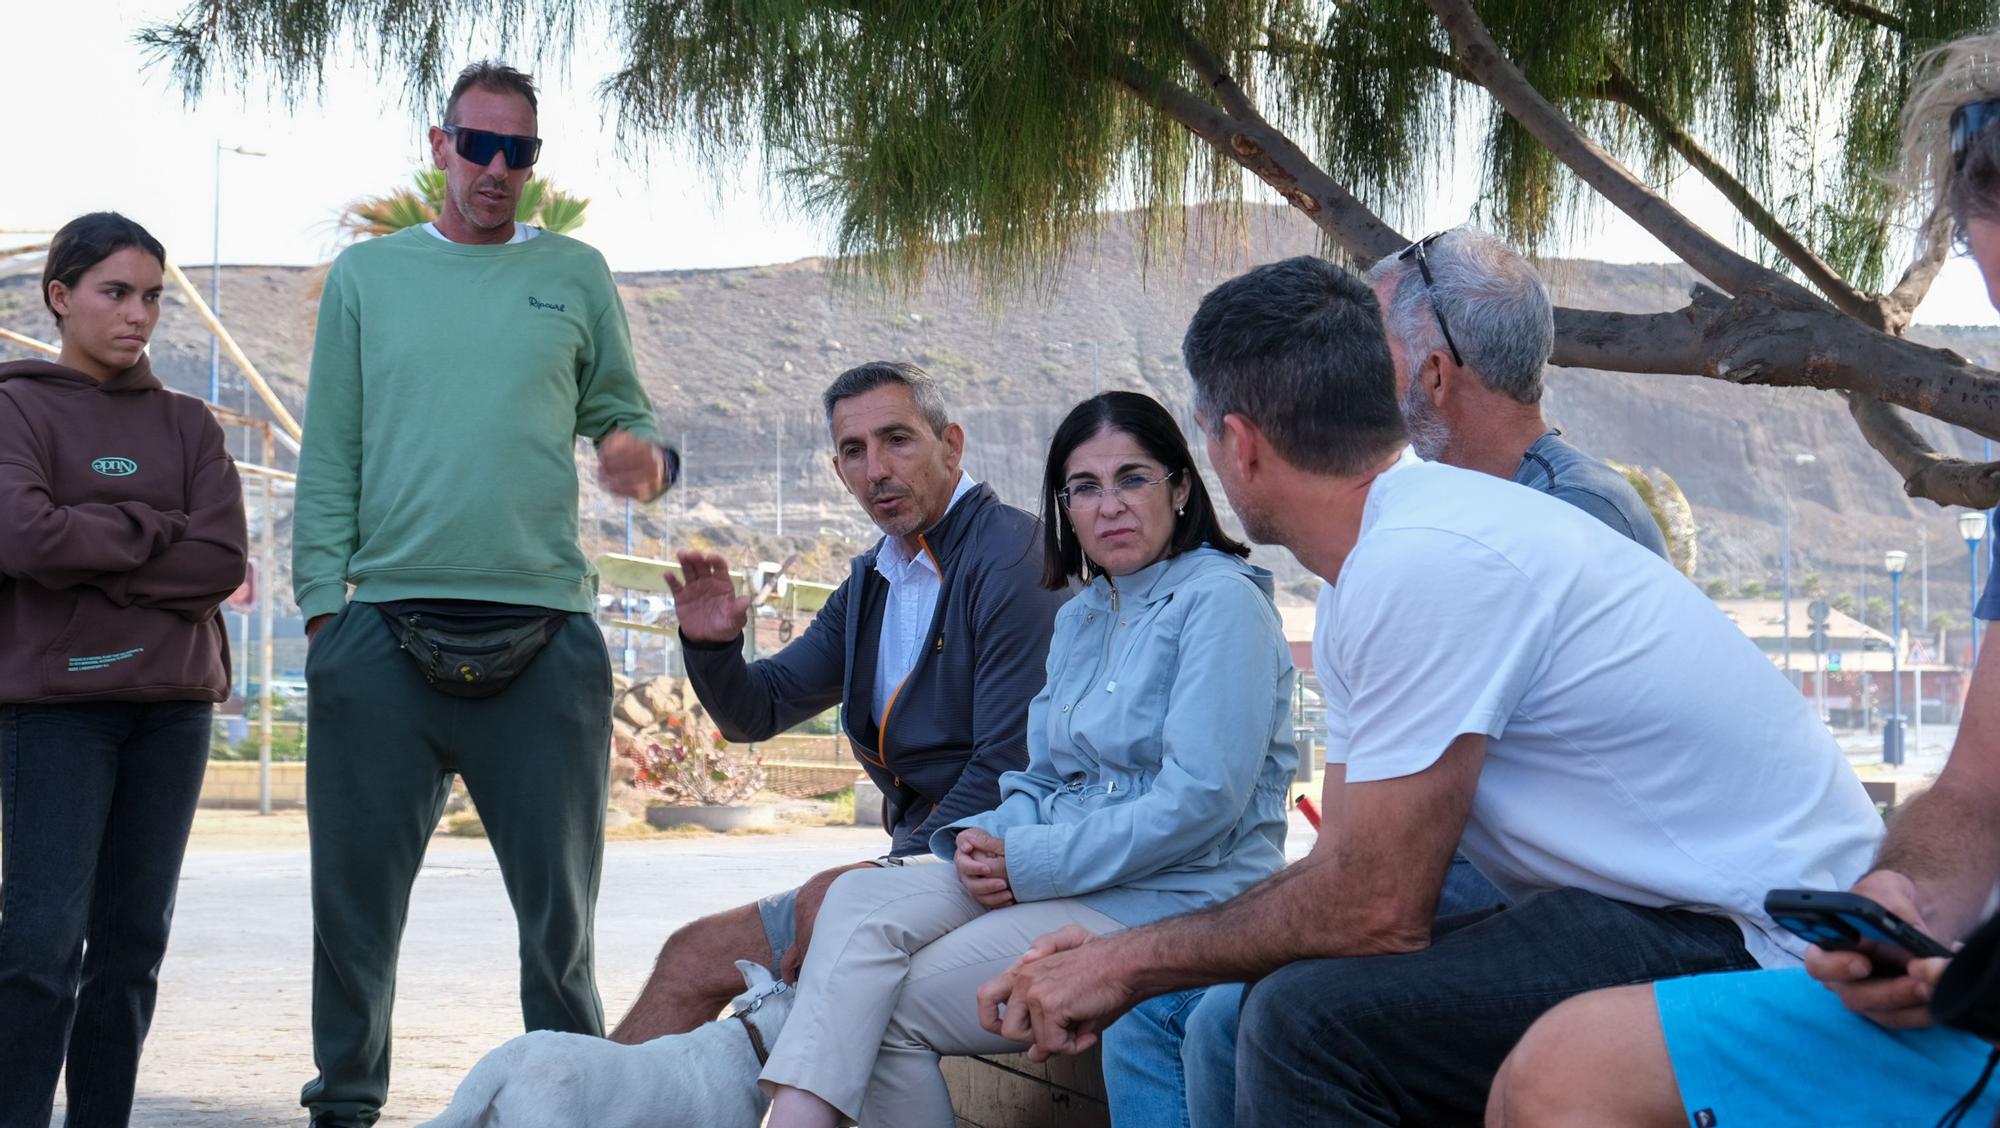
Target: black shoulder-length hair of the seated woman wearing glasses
column 1159, row 435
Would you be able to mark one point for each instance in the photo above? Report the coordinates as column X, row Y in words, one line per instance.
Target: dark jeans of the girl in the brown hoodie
column 97, row 809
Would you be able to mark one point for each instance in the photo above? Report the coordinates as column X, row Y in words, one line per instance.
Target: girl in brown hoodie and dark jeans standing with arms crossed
column 121, row 533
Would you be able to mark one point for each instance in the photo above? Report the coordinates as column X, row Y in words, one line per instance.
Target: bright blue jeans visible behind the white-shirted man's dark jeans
column 1171, row 1063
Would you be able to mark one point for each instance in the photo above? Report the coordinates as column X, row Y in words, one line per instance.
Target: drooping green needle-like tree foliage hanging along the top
column 991, row 133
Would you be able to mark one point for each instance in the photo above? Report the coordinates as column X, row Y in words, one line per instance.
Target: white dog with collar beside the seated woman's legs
column 703, row 1079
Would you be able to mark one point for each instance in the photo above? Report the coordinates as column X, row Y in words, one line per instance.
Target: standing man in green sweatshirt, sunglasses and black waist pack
column 453, row 371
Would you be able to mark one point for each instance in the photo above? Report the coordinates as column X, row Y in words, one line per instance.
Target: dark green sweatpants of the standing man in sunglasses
column 381, row 763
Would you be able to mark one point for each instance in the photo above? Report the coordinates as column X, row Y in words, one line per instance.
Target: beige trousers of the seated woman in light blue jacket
column 891, row 983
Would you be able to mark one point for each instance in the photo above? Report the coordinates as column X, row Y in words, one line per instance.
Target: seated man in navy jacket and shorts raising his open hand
column 935, row 645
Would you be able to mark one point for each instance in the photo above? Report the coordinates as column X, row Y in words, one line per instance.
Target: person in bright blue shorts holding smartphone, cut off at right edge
column 1851, row 1037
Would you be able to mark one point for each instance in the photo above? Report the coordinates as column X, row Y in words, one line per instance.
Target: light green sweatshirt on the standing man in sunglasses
column 449, row 383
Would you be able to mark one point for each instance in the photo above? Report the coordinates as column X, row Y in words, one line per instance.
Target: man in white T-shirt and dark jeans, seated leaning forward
column 1501, row 671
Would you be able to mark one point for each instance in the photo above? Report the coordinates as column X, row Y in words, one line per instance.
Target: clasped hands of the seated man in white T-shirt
column 1057, row 997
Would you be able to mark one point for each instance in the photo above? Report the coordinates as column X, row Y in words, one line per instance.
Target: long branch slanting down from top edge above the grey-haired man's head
column 1475, row 47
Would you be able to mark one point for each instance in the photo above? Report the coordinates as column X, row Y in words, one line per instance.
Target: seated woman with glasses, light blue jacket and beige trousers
column 1159, row 763
